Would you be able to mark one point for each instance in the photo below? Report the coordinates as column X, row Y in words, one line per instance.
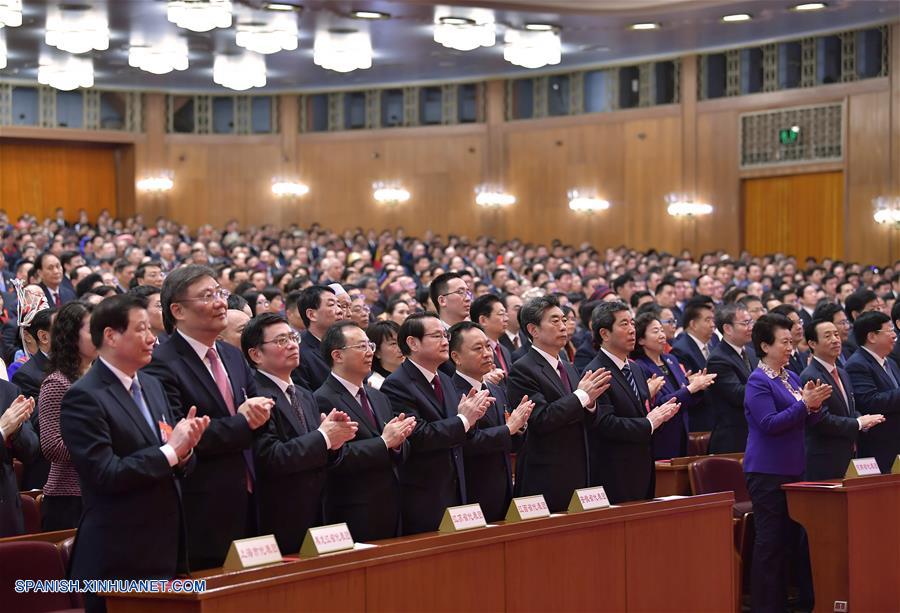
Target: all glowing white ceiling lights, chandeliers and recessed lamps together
column 78, row 29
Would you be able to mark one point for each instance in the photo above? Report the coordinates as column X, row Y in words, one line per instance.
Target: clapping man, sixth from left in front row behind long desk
column 486, row 454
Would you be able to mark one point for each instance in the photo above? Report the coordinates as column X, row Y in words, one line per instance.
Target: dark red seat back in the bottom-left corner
column 30, row 560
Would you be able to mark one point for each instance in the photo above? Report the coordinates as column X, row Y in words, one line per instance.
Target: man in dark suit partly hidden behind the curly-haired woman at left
column 28, row 378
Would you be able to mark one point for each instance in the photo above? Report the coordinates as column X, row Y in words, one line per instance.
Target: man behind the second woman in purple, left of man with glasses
column 692, row 348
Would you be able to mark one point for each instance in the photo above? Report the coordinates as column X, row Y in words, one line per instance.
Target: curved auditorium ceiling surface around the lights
column 592, row 32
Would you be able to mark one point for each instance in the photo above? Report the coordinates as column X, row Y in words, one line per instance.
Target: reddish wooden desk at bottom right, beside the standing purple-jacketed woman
column 854, row 540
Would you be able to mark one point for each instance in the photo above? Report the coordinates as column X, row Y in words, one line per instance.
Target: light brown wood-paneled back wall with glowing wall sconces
column 633, row 158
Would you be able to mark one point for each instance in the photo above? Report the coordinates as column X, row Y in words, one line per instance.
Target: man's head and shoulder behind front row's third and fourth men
column 319, row 309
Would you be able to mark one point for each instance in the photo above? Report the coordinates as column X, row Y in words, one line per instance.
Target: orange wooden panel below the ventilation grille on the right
column 798, row 215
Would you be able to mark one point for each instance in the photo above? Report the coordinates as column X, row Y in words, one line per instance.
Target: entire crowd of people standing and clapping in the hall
column 188, row 389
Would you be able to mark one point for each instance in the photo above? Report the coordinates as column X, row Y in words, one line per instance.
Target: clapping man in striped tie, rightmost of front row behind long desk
column 620, row 445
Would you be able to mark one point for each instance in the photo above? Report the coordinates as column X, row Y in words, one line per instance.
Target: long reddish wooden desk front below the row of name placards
column 673, row 555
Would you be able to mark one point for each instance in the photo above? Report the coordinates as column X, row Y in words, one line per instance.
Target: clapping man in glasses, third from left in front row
column 292, row 451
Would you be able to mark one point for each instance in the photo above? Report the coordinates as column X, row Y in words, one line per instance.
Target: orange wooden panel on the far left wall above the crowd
column 37, row 177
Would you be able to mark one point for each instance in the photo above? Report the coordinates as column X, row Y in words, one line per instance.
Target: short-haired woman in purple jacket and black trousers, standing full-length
column 777, row 410
